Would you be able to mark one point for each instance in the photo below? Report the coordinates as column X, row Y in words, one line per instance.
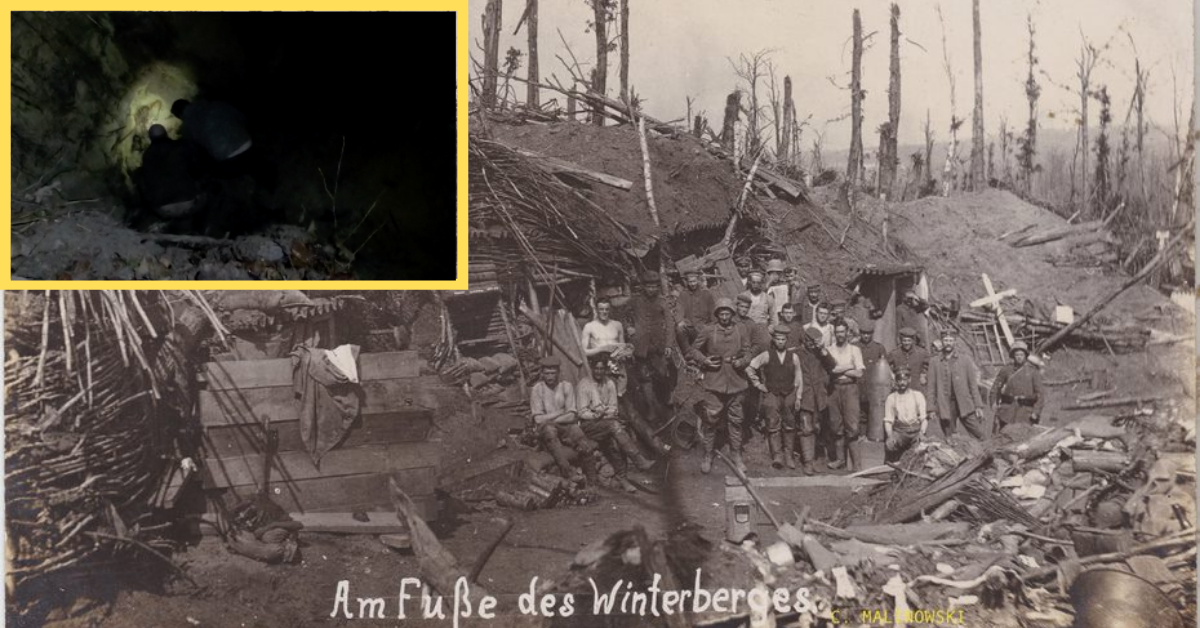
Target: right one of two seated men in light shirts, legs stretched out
column 599, row 418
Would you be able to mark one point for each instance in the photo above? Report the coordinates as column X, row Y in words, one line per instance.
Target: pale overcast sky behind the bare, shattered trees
column 681, row 47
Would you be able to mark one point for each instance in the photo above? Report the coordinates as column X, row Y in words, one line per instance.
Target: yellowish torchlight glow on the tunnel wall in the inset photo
column 146, row 104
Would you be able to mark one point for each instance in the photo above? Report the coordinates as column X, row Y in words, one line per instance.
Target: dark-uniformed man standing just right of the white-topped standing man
column 651, row 327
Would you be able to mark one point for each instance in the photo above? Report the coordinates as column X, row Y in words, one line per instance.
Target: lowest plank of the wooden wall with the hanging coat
column 347, row 494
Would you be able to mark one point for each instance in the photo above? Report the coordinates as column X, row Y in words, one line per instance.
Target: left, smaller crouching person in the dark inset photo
column 169, row 182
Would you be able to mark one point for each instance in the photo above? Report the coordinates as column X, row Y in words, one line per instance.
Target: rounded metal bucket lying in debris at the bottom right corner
column 1111, row 599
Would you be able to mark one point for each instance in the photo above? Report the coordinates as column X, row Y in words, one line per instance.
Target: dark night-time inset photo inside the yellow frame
column 235, row 146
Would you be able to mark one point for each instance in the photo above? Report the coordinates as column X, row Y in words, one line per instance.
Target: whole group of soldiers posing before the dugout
column 812, row 372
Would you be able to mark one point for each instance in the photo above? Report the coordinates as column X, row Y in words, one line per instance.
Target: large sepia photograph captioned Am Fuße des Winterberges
column 779, row 315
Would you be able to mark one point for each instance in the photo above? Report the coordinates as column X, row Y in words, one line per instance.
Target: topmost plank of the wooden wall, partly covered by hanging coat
column 262, row 374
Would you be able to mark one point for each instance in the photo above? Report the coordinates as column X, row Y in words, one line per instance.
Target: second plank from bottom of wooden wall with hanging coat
column 238, row 471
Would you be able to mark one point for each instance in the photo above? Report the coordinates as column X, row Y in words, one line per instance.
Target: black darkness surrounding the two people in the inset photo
column 362, row 105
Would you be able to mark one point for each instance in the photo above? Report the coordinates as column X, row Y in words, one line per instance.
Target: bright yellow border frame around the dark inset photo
column 459, row 283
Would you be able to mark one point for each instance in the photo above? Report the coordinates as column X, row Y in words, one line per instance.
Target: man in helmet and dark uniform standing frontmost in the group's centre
column 723, row 352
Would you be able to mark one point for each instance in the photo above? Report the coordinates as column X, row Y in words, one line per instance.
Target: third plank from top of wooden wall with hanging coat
column 404, row 427
